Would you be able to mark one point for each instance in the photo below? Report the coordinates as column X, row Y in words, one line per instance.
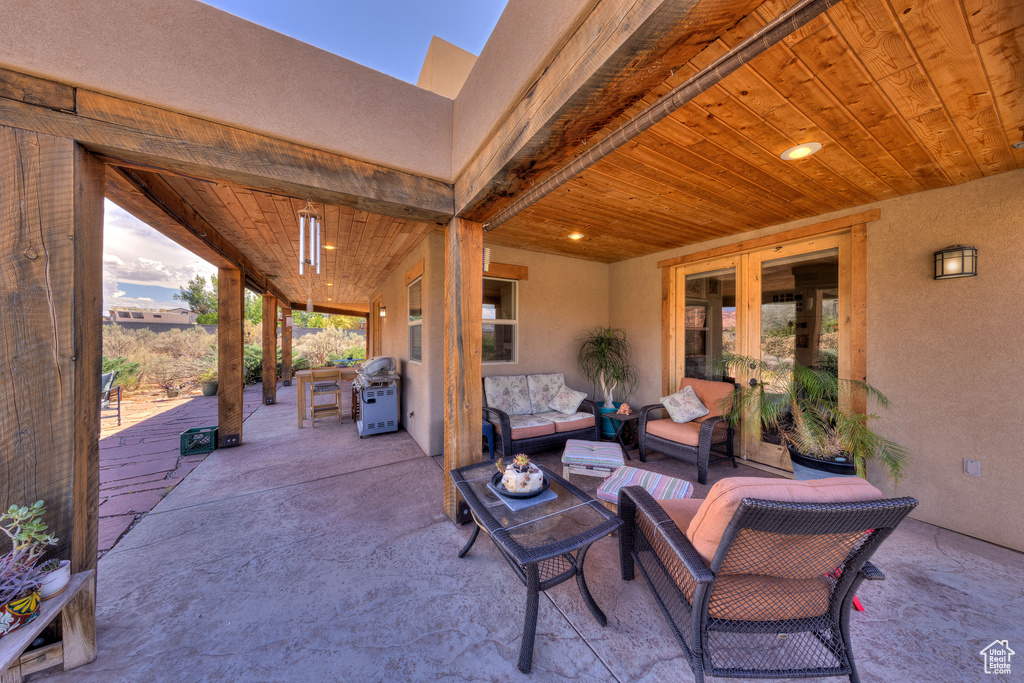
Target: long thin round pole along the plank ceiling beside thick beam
column 774, row 32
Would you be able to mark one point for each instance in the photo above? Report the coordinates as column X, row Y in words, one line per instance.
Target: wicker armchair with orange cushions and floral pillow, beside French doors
column 696, row 441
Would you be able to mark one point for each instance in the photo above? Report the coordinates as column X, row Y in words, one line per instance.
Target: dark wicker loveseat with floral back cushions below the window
column 519, row 407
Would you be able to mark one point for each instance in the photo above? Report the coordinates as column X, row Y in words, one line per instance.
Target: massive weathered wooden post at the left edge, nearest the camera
column 52, row 243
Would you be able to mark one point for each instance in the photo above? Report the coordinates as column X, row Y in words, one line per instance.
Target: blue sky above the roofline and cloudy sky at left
column 143, row 268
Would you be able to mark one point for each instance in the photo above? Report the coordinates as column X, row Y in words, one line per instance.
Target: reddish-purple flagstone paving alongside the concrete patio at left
column 141, row 461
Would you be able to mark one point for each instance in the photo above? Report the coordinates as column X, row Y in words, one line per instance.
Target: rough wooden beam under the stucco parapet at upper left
column 162, row 141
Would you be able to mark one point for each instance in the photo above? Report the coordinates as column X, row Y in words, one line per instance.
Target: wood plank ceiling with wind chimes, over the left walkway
column 361, row 248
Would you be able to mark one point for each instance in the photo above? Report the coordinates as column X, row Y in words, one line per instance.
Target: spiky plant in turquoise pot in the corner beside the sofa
column 605, row 360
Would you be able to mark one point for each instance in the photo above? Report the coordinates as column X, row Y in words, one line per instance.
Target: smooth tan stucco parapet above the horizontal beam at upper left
column 191, row 58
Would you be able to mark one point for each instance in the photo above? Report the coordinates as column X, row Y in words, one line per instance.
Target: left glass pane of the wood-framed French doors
column 710, row 322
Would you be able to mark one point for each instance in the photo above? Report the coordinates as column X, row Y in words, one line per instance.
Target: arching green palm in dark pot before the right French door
column 805, row 408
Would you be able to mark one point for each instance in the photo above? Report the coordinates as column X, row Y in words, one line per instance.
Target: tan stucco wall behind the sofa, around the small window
column 563, row 298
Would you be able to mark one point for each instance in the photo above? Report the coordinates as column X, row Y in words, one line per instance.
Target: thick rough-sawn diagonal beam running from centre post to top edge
column 622, row 51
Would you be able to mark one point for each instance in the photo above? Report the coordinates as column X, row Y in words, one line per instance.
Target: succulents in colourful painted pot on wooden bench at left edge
column 20, row 574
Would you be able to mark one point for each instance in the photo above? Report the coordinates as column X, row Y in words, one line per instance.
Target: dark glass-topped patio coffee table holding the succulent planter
column 545, row 544
